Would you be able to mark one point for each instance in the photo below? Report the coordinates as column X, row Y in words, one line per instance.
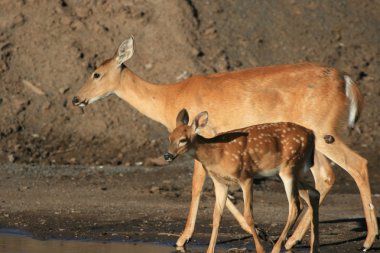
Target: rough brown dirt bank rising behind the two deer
column 48, row 49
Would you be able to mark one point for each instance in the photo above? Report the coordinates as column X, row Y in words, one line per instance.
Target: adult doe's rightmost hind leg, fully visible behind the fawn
column 356, row 166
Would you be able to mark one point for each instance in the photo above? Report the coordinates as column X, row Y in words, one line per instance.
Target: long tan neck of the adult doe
column 149, row 99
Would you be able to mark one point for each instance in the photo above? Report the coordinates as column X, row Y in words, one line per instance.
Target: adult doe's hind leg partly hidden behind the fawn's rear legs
column 324, row 180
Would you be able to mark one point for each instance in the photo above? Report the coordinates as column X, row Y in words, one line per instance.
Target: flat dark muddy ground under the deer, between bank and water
column 130, row 204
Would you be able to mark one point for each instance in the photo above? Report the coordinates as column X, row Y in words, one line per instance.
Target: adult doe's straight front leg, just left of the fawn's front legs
column 199, row 177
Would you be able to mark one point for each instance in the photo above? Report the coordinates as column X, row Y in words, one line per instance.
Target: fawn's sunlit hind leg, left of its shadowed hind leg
column 294, row 207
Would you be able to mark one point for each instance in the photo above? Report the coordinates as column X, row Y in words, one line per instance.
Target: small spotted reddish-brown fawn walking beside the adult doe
column 235, row 157
